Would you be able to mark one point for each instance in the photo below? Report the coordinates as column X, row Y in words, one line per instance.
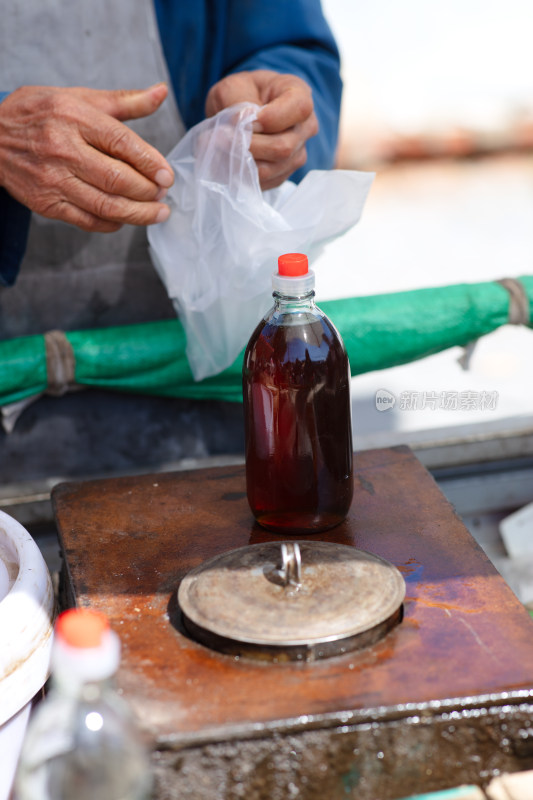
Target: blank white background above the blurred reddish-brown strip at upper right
column 417, row 63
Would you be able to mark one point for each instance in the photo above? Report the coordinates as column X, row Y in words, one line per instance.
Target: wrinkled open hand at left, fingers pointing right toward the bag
column 66, row 154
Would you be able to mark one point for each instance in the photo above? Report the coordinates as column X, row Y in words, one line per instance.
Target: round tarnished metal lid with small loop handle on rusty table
column 300, row 598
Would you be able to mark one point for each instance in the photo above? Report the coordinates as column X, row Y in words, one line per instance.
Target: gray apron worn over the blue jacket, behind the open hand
column 71, row 279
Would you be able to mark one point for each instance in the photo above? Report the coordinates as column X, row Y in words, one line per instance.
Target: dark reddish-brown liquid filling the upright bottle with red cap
column 298, row 426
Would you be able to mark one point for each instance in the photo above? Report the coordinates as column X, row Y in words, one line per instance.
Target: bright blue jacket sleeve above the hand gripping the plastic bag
column 213, row 38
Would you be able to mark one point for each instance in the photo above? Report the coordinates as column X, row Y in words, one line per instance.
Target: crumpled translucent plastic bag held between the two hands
column 218, row 249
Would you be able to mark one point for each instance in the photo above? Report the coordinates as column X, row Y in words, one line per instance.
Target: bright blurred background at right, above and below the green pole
column 438, row 102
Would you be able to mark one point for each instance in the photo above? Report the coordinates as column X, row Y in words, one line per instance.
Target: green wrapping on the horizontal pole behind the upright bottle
column 379, row 331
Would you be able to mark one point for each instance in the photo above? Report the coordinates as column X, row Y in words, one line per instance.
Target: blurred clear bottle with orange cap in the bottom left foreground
column 81, row 743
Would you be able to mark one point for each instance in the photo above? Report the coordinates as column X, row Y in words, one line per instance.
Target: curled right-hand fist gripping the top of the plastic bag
column 284, row 124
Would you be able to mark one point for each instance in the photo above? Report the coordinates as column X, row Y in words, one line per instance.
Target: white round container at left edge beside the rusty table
column 26, row 626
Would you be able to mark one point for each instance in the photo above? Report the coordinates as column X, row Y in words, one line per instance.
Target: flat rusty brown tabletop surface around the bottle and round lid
column 128, row 542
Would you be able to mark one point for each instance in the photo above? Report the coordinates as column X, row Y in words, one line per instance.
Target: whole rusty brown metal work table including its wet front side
column 444, row 698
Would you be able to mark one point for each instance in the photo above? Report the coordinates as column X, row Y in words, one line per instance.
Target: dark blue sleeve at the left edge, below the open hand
column 14, row 224
